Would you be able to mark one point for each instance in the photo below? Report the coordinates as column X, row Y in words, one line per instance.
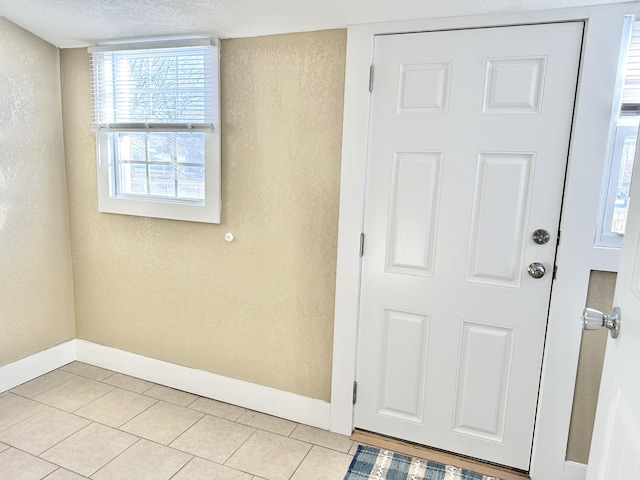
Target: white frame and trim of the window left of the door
column 205, row 211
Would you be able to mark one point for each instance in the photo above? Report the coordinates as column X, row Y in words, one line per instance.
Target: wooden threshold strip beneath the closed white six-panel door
column 419, row 451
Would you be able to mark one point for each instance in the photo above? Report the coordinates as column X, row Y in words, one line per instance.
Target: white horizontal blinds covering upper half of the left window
column 154, row 86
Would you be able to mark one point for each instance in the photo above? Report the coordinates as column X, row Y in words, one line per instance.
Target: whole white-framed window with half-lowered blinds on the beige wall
column 157, row 125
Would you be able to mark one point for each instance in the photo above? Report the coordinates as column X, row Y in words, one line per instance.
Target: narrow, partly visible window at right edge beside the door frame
column 622, row 144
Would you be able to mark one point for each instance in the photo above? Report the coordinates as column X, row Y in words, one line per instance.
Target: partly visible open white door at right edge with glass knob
column 615, row 446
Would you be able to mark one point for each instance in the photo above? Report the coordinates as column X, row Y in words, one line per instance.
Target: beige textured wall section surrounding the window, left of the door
column 260, row 308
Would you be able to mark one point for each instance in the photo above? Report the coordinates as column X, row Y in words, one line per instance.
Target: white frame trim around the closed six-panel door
column 576, row 255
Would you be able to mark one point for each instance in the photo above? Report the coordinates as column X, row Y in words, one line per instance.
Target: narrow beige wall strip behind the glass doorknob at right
column 599, row 296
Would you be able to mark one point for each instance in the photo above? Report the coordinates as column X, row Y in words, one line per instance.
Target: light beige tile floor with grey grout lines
column 82, row 421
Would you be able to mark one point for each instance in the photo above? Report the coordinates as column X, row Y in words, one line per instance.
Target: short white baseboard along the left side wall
column 25, row 369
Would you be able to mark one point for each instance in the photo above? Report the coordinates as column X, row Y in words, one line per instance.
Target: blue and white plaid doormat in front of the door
column 371, row 463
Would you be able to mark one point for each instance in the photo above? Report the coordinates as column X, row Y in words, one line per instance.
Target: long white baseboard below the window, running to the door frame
column 279, row 403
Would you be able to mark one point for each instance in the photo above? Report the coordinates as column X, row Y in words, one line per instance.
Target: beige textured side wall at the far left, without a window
column 36, row 295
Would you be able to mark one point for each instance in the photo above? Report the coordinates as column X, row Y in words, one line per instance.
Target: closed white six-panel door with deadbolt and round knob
column 468, row 143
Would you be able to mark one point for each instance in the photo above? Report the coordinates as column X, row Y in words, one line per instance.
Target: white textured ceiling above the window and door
column 78, row 23
